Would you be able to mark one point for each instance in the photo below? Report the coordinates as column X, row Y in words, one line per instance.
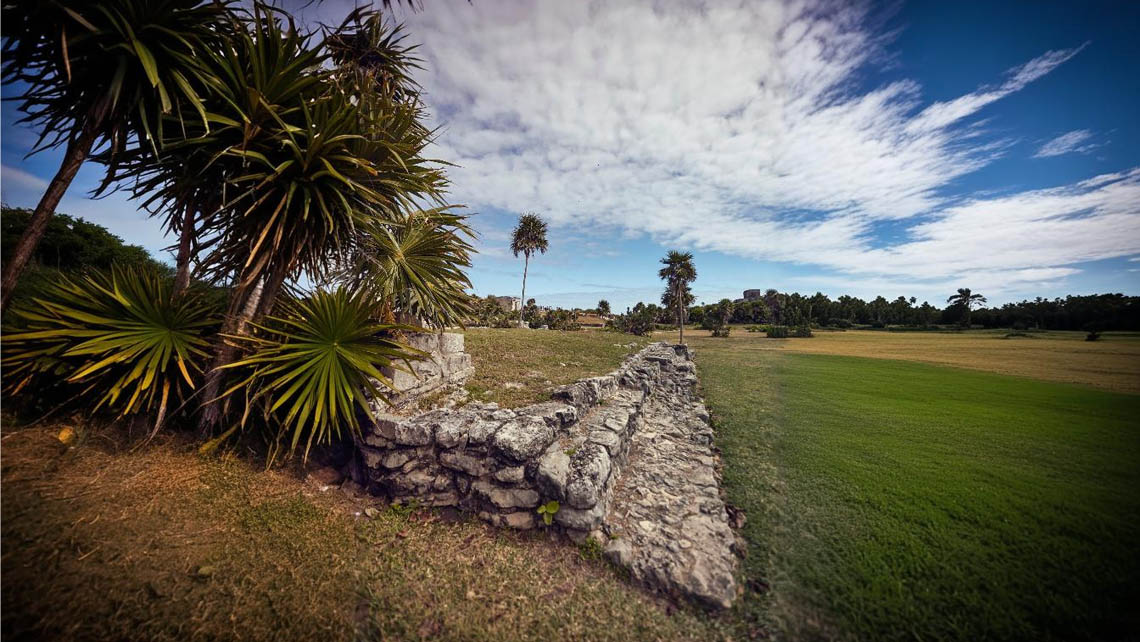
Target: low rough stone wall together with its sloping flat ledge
column 628, row 456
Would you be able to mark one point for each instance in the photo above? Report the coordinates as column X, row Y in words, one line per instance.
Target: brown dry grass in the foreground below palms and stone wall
column 102, row 543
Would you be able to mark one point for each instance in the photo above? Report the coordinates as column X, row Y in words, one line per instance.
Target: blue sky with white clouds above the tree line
column 906, row 149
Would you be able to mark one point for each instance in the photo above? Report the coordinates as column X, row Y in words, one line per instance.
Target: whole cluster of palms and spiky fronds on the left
column 273, row 155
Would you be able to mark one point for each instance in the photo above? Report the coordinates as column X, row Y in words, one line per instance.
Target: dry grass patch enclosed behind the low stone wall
column 516, row 368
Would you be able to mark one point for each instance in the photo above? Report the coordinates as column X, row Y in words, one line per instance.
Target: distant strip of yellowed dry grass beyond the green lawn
column 1112, row 363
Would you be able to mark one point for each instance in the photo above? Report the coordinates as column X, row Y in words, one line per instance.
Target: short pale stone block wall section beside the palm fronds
column 447, row 365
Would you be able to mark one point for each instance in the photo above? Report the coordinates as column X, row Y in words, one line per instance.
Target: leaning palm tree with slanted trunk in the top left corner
column 101, row 74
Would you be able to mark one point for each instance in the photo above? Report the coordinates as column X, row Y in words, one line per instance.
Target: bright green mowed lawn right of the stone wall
column 902, row 501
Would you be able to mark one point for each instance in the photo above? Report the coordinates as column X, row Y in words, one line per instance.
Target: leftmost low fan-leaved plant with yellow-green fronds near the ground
column 121, row 336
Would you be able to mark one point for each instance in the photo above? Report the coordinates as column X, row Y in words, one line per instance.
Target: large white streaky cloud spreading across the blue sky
column 742, row 129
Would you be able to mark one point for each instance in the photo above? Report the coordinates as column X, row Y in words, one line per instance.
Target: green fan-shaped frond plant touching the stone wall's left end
column 313, row 367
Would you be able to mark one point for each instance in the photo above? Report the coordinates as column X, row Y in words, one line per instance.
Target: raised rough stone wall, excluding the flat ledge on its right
column 501, row 465
